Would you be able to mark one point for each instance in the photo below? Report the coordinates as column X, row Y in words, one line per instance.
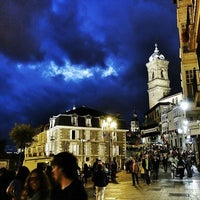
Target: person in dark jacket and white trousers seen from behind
column 100, row 181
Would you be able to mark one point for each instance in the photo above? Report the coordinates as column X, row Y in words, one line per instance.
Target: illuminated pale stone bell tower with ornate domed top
column 158, row 80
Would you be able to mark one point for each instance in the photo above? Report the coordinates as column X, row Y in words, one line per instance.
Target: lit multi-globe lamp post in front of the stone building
column 109, row 125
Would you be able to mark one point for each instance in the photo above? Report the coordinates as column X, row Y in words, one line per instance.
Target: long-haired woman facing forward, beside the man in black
column 36, row 187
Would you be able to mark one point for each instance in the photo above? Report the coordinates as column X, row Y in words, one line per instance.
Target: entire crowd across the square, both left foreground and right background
column 62, row 180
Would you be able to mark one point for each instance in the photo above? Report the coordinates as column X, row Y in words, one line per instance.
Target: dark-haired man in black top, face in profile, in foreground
column 65, row 173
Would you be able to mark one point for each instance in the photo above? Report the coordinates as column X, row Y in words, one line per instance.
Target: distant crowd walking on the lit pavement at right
column 147, row 164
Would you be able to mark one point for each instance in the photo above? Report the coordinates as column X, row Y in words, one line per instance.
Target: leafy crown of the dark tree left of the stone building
column 22, row 134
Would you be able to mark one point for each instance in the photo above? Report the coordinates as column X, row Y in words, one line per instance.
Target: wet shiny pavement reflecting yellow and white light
column 165, row 188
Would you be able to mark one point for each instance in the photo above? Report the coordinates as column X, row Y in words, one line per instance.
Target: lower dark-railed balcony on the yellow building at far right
column 196, row 87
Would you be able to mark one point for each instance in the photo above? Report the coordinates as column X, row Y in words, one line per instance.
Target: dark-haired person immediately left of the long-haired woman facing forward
column 15, row 187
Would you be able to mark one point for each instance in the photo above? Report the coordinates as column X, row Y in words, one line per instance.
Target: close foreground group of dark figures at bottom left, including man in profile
column 57, row 182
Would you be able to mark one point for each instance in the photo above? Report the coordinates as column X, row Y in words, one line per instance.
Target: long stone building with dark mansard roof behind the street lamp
column 80, row 132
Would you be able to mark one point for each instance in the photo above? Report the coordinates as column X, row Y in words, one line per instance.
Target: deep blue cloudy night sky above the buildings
column 56, row 54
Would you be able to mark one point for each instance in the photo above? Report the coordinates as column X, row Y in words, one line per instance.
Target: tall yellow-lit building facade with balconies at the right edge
column 188, row 23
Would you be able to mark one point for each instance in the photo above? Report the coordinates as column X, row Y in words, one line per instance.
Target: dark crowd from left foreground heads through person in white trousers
column 60, row 181
